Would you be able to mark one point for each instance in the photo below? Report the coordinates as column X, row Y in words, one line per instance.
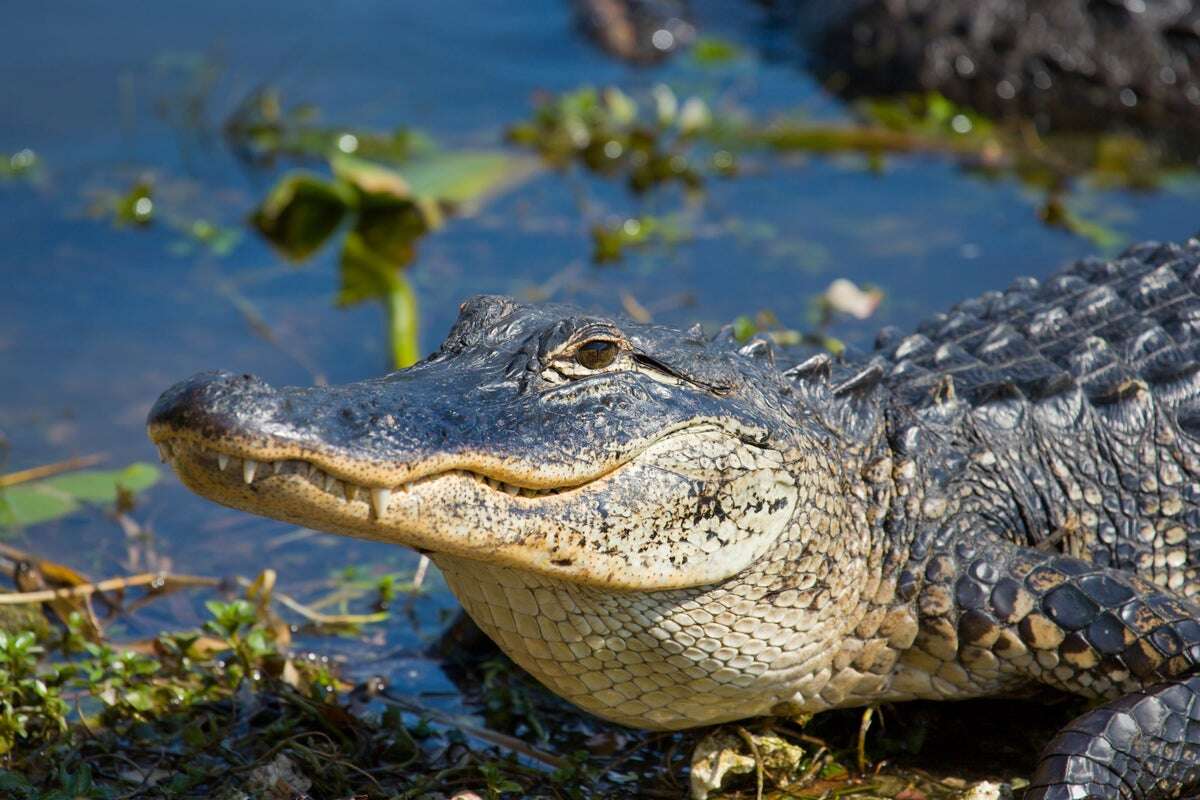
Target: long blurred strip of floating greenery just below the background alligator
column 659, row 141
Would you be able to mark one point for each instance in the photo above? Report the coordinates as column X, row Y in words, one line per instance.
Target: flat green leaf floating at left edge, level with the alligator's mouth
column 29, row 504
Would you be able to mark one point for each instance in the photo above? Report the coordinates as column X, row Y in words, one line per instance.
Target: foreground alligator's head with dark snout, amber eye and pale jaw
column 542, row 446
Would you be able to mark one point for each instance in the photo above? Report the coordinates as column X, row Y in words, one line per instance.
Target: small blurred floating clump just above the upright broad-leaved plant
column 263, row 131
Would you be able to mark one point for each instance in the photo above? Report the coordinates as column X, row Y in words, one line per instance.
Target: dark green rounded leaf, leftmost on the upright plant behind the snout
column 302, row 213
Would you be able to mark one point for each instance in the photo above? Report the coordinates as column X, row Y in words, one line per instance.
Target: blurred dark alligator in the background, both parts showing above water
column 1067, row 65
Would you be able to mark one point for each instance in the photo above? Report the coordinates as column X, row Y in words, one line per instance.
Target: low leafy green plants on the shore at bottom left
column 227, row 712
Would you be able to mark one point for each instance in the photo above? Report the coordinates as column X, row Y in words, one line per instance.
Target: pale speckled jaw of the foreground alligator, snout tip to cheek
column 459, row 509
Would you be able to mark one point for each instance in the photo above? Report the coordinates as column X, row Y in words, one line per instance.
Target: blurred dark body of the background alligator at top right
column 1066, row 64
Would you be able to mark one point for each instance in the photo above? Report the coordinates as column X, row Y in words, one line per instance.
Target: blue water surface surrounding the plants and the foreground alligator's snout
column 95, row 321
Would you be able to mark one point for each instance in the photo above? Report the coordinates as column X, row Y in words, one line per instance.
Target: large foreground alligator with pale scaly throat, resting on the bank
column 673, row 531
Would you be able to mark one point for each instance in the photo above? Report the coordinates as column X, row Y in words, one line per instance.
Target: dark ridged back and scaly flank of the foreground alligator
column 1069, row 412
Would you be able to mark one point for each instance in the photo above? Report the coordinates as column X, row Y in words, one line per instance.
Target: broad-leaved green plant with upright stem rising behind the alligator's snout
column 386, row 213
